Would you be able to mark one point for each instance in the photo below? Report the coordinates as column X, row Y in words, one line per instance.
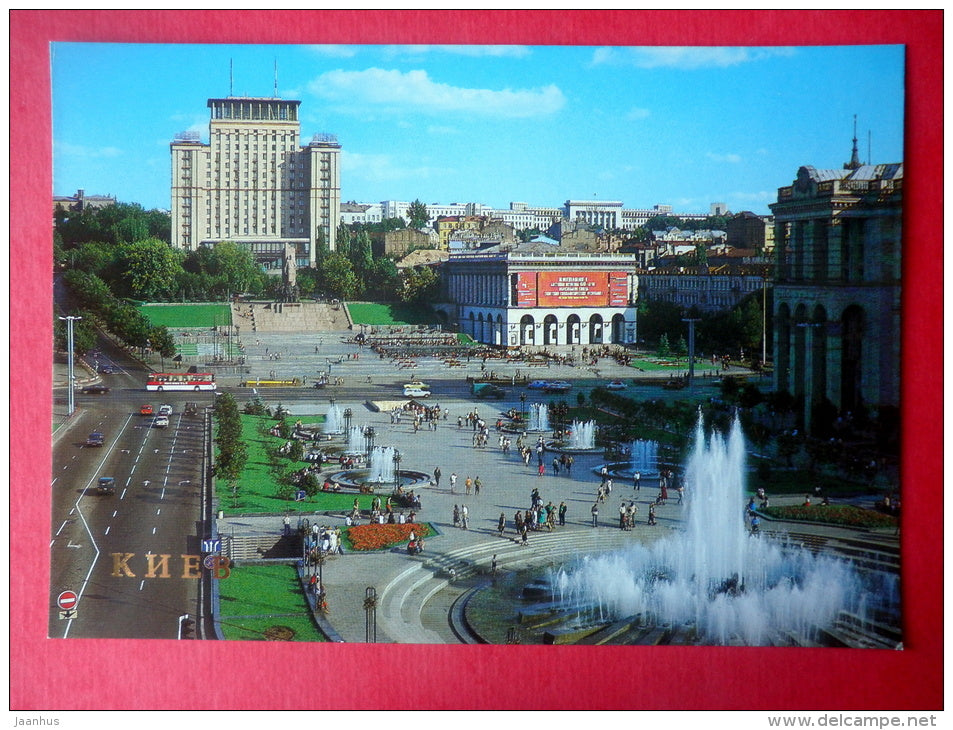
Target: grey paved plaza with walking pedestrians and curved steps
column 507, row 484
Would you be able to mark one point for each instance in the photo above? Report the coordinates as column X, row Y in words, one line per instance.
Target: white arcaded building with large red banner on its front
column 514, row 299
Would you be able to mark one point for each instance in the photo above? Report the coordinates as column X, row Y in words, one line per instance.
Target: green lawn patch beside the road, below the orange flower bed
column 256, row 598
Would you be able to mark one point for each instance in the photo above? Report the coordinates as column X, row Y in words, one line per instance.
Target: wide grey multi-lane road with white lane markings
column 111, row 549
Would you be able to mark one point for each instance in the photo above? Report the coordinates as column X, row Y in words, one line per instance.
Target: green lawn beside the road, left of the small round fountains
column 258, row 485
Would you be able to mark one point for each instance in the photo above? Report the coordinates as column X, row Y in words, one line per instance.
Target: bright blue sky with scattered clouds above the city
column 493, row 124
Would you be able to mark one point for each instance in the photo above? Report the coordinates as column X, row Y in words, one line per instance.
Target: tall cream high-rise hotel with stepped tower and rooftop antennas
column 254, row 183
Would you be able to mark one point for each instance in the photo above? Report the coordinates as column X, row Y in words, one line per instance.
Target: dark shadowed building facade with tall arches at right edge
column 837, row 291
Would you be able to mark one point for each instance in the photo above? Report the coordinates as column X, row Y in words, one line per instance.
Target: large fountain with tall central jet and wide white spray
column 717, row 583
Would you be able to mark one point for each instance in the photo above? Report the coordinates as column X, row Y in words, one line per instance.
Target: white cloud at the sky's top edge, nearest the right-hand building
column 685, row 57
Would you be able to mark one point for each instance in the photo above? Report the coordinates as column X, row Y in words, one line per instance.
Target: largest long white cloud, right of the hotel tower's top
column 416, row 91
